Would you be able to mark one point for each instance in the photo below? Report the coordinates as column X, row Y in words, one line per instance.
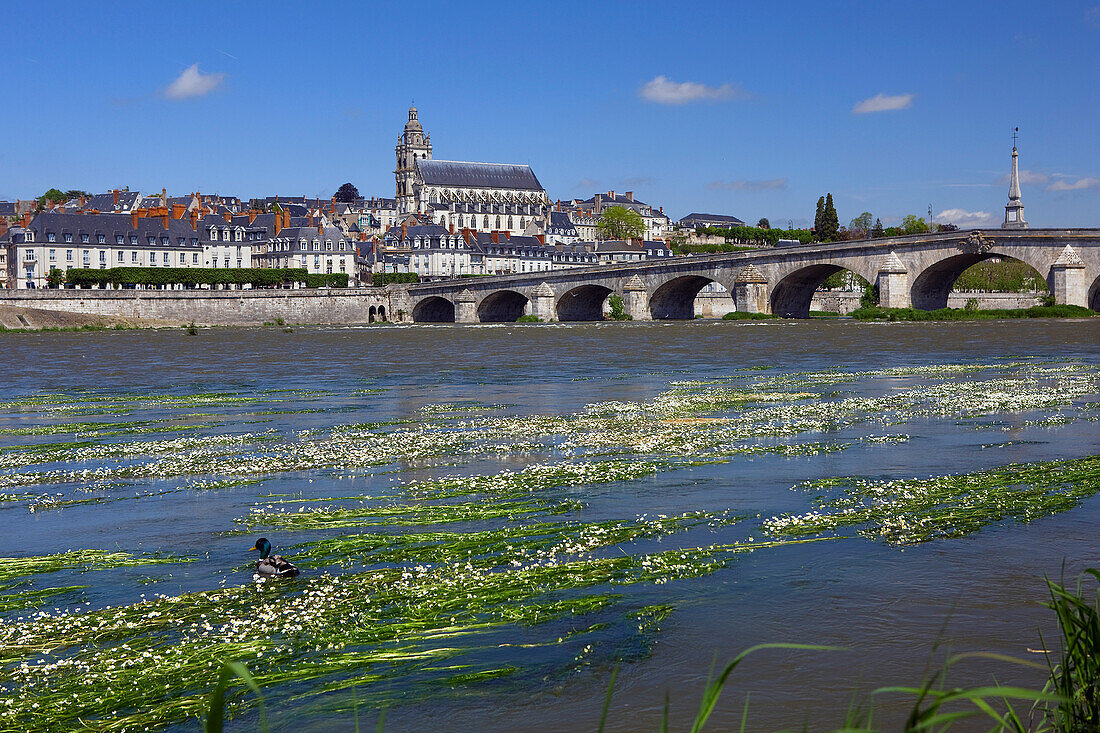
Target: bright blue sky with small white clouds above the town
column 752, row 110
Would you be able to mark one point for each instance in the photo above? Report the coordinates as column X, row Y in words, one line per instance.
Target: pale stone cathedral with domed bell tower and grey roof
column 458, row 194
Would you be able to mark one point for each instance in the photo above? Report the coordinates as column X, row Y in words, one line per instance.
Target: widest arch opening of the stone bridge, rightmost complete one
column 977, row 277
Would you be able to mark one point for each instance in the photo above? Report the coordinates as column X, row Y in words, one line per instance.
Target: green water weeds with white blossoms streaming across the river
column 465, row 543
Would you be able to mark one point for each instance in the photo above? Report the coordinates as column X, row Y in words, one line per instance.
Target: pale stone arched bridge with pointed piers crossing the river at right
column 916, row 271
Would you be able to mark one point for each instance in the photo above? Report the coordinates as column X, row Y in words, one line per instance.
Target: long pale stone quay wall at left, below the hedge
column 246, row 308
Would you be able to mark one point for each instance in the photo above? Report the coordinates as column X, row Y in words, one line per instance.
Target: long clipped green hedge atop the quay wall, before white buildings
column 257, row 277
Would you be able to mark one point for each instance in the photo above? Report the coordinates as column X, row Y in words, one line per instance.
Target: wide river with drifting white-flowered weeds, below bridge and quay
column 191, row 447
